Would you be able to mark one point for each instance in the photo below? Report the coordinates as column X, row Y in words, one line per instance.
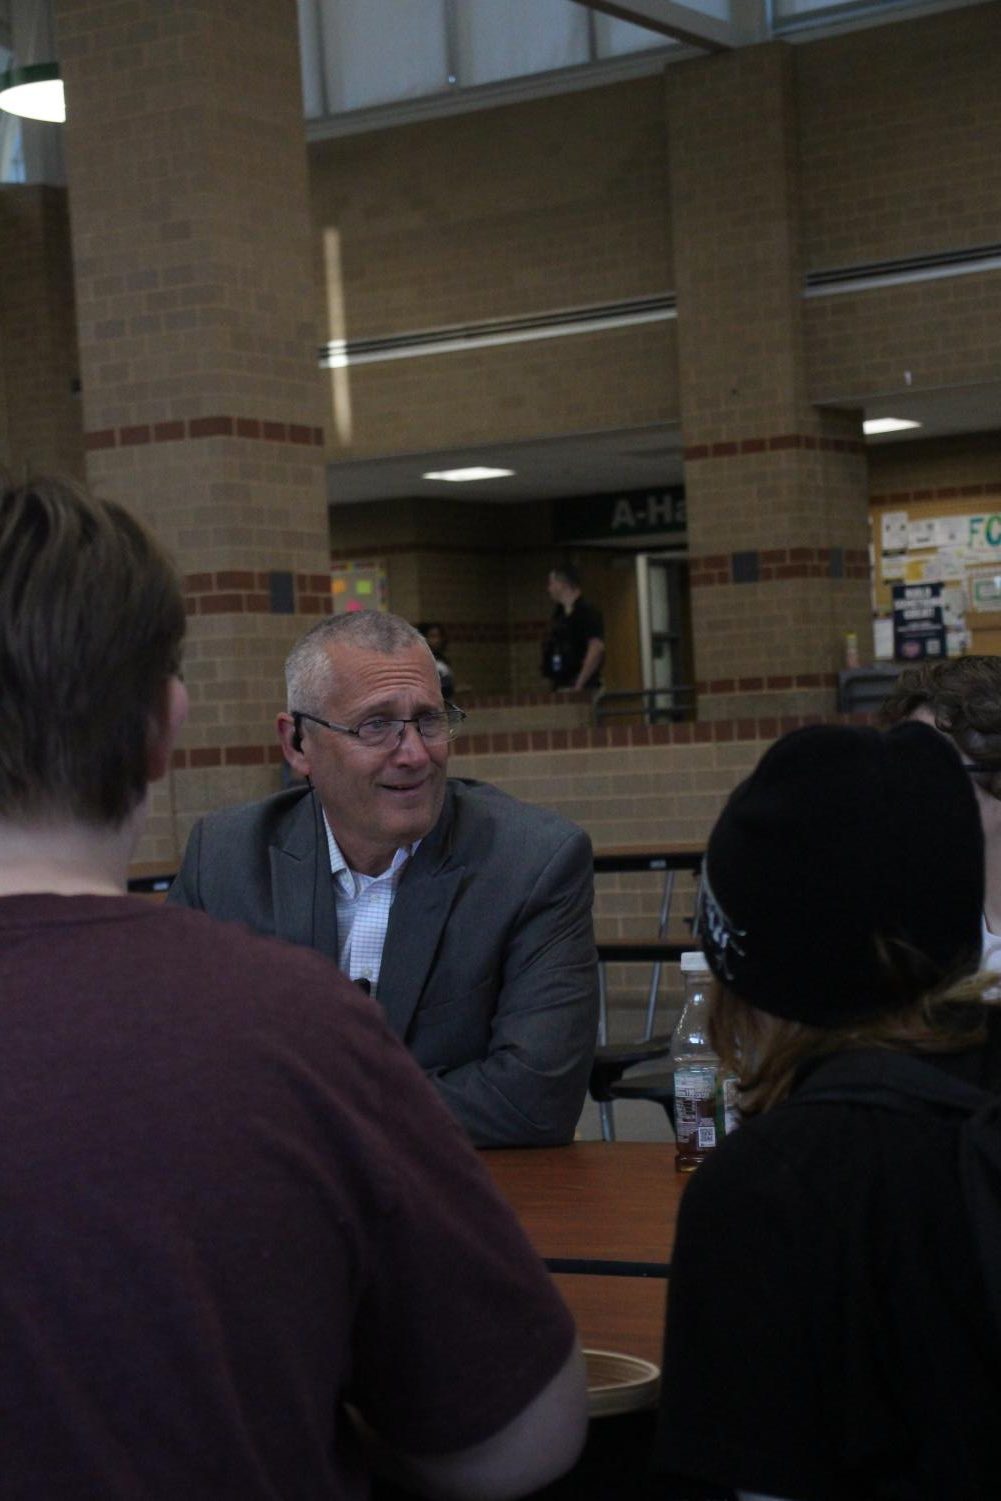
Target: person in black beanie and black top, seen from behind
column 835, row 1316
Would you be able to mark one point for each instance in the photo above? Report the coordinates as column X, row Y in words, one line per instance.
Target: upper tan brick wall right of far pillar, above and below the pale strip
column 901, row 155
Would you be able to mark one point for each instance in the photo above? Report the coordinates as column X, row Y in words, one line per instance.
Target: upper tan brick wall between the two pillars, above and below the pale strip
column 528, row 209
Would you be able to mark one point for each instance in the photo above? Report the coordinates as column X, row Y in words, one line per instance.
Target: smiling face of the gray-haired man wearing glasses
column 377, row 799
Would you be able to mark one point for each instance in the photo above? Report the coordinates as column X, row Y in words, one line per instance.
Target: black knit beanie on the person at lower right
column 838, row 837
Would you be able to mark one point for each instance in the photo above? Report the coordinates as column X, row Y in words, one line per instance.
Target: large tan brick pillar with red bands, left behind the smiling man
column 203, row 400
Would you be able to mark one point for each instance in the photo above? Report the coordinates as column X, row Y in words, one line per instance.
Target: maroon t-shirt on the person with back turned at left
column 229, row 1203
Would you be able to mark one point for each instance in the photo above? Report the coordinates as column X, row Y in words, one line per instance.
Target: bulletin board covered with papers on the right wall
column 948, row 544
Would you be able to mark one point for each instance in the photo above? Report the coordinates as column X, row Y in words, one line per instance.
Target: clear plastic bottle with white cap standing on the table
column 696, row 1069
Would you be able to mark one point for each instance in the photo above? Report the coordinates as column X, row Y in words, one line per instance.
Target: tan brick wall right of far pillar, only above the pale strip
column 901, row 140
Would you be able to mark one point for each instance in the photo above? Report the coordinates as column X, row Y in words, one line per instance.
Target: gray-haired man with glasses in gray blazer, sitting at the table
column 464, row 912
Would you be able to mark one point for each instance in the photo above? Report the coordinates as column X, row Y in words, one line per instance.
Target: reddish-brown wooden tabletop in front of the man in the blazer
column 610, row 1212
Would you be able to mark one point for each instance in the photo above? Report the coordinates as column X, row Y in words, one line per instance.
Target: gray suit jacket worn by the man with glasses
column 490, row 972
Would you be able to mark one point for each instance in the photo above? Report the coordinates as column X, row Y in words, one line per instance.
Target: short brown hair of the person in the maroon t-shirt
column 92, row 621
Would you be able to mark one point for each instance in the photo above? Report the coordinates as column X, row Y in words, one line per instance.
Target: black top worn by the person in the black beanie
column 829, row 1334
